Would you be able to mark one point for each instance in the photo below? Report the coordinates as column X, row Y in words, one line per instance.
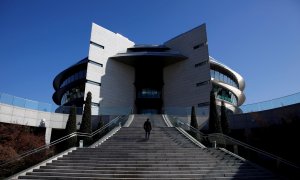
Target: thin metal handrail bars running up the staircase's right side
column 247, row 146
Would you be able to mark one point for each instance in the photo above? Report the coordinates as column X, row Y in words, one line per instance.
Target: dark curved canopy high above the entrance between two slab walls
column 135, row 58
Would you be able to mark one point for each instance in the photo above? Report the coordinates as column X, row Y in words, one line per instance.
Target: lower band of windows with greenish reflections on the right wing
column 224, row 94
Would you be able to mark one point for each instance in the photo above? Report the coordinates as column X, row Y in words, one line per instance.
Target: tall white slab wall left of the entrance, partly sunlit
column 115, row 80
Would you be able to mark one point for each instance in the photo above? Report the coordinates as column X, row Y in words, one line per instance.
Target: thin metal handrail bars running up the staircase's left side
column 80, row 134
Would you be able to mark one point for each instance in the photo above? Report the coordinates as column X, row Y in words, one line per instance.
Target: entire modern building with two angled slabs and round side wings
column 143, row 79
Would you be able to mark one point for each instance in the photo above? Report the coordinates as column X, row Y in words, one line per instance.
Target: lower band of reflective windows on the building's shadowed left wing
column 72, row 94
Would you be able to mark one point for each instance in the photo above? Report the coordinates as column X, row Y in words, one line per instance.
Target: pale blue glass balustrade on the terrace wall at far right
column 272, row 104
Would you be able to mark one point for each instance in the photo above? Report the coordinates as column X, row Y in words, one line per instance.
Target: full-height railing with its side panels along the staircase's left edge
column 32, row 157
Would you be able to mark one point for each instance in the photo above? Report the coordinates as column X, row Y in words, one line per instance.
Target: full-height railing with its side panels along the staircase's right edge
column 260, row 157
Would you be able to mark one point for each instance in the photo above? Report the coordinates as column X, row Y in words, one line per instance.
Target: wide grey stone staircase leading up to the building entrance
column 168, row 154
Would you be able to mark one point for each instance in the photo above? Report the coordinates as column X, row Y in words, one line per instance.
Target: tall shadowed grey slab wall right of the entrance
column 180, row 79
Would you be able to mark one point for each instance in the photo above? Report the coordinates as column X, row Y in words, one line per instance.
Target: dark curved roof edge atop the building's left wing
column 69, row 71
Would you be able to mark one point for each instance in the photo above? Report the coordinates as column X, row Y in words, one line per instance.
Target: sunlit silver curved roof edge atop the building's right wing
column 226, row 70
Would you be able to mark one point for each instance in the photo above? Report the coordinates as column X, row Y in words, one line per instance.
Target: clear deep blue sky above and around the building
column 260, row 39
